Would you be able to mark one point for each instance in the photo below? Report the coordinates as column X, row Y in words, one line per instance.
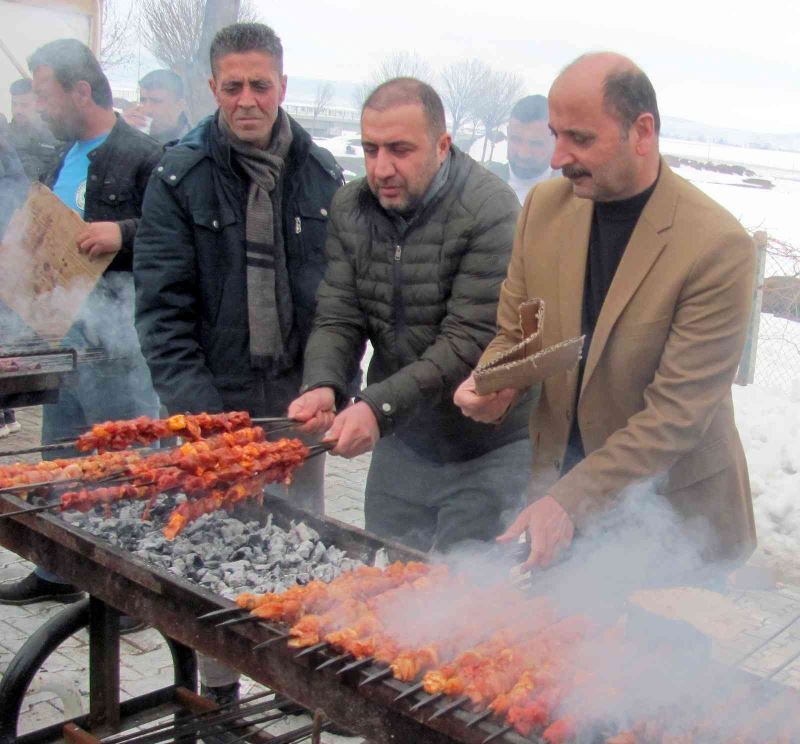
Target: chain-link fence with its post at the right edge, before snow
column 772, row 354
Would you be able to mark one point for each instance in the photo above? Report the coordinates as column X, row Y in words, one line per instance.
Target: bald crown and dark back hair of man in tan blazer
column 627, row 91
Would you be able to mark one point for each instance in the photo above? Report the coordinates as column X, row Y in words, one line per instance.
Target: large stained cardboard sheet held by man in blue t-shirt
column 45, row 279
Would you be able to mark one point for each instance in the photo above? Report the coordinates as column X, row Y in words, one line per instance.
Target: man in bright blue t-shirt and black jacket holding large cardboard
column 102, row 174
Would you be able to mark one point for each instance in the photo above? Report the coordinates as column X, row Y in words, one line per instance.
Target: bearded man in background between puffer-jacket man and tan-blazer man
column 529, row 147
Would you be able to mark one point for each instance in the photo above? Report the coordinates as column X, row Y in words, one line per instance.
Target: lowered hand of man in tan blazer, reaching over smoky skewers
column 550, row 530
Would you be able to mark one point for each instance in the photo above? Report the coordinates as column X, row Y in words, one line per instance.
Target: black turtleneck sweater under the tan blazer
column 612, row 226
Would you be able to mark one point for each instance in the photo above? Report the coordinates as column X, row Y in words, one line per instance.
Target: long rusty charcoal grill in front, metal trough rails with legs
column 119, row 582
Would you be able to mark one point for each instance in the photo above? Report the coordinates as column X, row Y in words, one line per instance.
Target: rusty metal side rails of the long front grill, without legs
column 172, row 604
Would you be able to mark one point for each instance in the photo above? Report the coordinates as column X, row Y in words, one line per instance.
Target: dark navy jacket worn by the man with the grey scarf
column 190, row 271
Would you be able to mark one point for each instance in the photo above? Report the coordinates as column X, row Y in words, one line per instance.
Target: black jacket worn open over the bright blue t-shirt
column 115, row 184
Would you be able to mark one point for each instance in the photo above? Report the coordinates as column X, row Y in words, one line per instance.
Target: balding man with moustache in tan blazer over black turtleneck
column 659, row 277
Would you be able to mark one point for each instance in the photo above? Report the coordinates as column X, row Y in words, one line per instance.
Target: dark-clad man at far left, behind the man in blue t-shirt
column 27, row 133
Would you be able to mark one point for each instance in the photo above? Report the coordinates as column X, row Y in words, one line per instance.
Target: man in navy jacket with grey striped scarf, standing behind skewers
column 210, row 287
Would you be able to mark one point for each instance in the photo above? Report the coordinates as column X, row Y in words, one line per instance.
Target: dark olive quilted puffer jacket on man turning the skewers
column 426, row 302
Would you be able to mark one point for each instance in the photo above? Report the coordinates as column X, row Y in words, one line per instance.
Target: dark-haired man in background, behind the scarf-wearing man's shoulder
column 161, row 111
